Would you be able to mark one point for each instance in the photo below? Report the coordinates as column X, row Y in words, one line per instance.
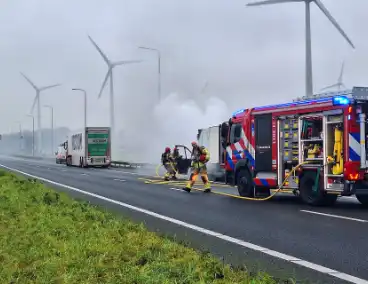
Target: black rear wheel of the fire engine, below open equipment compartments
column 311, row 196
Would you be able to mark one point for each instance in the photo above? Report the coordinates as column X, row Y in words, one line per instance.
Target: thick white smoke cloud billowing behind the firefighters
column 175, row 120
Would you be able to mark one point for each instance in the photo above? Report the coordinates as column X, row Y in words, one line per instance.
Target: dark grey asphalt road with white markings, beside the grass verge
column 257, row 234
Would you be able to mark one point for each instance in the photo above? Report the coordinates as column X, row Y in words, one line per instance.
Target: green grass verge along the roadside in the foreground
column 47, row 237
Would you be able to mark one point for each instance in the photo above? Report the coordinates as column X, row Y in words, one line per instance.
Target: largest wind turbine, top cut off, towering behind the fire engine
column 308, row 41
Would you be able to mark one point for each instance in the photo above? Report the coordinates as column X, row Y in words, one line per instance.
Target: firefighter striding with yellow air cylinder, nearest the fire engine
column 200, row 157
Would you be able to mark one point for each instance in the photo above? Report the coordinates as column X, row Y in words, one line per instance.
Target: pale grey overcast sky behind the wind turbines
column 249, row 55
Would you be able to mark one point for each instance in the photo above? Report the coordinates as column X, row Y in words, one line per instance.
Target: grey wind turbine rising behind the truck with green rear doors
column 109, row 74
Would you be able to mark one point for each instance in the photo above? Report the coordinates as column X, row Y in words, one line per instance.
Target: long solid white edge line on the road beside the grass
column 289, row 258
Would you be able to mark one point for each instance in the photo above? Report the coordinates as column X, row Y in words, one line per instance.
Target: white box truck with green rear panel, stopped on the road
column 90, row 147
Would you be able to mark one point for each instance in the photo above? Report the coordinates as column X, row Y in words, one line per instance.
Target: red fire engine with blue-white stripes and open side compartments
column 314, row 147
